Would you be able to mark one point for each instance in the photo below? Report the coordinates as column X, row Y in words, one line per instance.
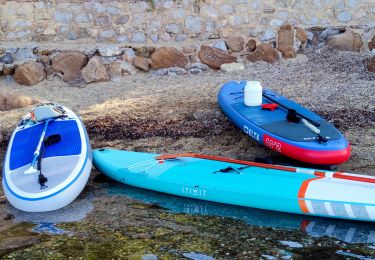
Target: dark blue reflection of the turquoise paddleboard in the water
column 347, row 231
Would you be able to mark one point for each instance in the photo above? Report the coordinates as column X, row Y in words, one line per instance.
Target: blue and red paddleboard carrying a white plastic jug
column 284, row 126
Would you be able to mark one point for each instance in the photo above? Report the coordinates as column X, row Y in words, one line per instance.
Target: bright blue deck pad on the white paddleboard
column 26, row 141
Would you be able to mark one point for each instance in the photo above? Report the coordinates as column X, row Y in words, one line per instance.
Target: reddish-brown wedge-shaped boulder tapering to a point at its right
column 213, row 57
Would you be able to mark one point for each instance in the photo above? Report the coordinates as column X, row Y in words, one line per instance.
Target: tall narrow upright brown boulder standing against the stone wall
column 285, row 41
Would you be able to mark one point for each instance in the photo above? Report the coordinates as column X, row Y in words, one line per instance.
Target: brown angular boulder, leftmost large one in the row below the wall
column 29, row 73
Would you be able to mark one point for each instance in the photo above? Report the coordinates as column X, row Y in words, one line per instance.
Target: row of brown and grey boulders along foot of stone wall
column 34, row 63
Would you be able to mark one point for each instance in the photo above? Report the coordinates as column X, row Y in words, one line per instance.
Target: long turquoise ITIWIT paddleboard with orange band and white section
column 264, row 186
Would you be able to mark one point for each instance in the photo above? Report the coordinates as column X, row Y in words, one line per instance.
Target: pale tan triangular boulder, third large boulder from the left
column 95, row 71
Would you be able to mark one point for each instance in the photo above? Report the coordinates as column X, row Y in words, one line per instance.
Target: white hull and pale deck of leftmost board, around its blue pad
column 67, row 175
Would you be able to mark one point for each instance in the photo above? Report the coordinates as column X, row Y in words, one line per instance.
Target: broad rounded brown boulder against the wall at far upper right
column 347, row 41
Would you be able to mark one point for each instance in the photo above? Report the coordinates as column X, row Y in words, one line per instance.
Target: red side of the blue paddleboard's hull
column 306, row 155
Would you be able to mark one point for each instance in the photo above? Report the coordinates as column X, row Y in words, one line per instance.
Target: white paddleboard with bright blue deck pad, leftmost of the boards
column 48, row 160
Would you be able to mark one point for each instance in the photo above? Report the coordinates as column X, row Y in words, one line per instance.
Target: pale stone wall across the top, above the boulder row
column 158, row 21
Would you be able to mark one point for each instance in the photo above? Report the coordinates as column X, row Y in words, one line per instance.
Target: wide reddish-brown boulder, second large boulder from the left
column 69, row 64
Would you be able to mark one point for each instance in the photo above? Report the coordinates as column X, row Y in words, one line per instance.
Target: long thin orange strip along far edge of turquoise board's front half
column 222, row 159
